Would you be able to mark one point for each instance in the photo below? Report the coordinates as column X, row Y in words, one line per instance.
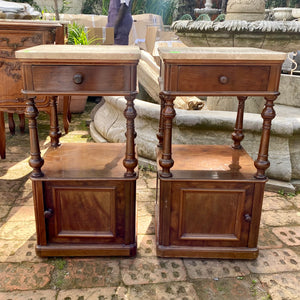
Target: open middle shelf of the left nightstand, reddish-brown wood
column 69, row 161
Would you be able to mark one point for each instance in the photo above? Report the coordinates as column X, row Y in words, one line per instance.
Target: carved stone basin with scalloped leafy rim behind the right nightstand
column 274, row 35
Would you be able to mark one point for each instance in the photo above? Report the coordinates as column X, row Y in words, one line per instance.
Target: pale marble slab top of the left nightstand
column 80, row 52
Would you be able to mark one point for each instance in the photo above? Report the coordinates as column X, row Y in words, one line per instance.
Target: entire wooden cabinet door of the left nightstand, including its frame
column 78, row 213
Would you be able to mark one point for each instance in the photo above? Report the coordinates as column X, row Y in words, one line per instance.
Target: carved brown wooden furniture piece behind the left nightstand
column 16, row 35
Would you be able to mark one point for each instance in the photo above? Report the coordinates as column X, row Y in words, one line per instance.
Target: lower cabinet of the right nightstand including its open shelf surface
column 211, row 206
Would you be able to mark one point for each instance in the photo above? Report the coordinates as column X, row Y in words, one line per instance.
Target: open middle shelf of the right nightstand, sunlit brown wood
column 211, row 162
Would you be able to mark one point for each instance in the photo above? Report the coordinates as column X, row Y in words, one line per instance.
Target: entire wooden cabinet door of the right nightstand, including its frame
column 211, row 216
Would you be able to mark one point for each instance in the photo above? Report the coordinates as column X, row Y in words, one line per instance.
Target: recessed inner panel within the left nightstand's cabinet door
column 84, row 212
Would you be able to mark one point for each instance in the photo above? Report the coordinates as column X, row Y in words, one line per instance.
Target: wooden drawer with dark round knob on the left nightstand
column 74, row 79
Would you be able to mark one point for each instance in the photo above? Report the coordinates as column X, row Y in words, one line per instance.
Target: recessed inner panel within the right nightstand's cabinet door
column 225, row 208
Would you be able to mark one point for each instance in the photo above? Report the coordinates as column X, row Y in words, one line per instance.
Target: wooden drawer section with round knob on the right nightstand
column 222, row 79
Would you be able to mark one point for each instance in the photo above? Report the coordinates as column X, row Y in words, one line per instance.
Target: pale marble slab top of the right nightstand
column 221, row 53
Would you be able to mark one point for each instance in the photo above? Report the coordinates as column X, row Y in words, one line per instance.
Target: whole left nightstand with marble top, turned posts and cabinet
column 84, row 198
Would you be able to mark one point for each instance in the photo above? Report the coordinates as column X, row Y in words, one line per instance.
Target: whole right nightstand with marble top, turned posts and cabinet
column 210, row 202
